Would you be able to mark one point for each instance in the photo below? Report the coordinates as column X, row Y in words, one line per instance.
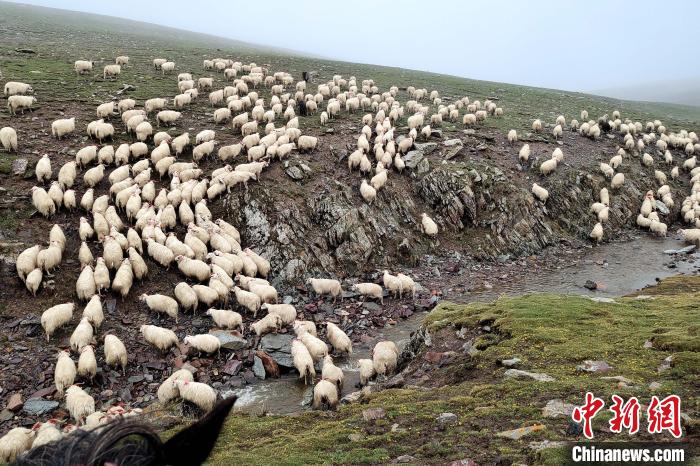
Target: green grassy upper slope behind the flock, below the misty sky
column 62, row 37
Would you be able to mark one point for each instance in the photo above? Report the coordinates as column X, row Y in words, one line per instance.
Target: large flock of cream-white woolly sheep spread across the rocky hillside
column 135, row 216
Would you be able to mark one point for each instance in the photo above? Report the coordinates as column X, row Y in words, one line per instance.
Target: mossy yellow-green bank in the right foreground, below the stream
column 550, row 333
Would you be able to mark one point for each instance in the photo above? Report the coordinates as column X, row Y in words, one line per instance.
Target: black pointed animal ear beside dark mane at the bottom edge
column 193, row 444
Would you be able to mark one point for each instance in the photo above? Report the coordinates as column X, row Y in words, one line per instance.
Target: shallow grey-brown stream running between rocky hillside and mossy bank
column 619, row 268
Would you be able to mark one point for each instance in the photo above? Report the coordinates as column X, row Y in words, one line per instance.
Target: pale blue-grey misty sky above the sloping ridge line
column 572, row 45
